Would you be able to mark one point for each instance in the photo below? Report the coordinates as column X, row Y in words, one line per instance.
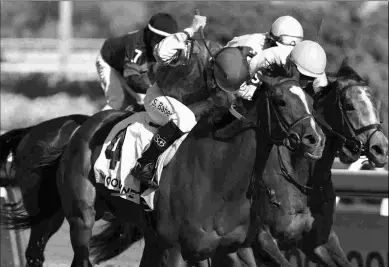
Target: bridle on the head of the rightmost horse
column 352, row 142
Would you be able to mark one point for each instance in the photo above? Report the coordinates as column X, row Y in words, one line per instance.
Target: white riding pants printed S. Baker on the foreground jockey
column 162, row 109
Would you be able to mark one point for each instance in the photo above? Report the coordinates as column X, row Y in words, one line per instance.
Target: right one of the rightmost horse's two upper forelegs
column 329, row 254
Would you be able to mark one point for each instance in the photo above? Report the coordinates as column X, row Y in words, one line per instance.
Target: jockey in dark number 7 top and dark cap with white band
column 126, row 65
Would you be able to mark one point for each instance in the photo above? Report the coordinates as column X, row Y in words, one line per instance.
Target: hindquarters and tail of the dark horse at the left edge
column 36, row 151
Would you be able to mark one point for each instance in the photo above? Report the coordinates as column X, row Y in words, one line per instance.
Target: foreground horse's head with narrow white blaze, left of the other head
column 291, row 108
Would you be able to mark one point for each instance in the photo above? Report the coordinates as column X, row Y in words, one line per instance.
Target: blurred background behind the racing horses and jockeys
column 48, row 52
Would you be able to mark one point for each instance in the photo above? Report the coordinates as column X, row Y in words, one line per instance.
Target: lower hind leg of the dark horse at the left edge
column 39, row 236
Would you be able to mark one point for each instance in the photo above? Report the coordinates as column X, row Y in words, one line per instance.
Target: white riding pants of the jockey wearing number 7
column 113, row 85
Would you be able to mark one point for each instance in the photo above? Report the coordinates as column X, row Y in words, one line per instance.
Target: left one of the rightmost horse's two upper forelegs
column 268, row 246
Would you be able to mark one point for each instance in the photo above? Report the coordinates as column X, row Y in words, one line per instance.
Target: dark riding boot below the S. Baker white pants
column 145, row 166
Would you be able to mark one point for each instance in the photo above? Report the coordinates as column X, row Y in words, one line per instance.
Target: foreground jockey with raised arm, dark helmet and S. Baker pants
column 182, row 67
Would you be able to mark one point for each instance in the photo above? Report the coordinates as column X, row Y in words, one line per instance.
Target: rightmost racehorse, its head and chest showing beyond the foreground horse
column 304, row 188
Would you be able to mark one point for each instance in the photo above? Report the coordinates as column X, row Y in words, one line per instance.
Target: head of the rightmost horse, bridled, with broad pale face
column 356, row 118
